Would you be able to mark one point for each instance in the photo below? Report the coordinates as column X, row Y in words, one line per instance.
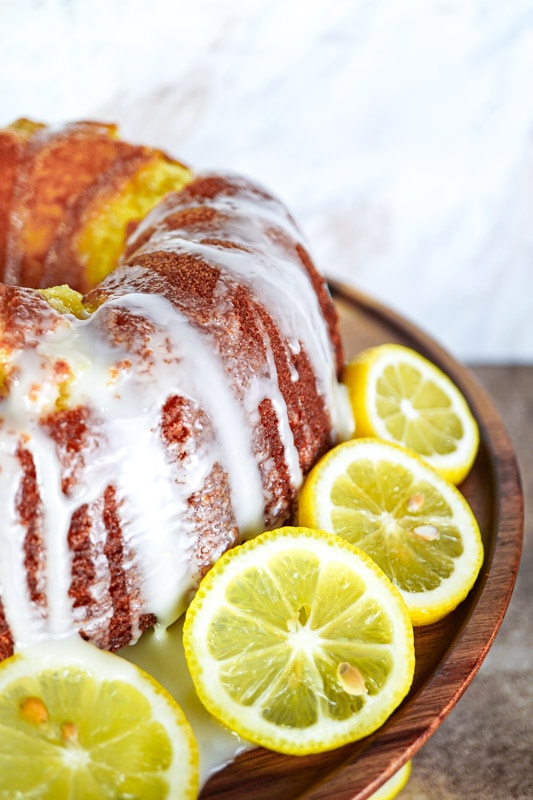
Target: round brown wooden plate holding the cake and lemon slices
column 448, row 653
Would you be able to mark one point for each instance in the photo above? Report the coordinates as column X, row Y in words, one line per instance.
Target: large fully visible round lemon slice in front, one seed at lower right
column 298, row 642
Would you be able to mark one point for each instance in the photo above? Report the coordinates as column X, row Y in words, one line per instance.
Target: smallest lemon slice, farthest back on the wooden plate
column 400, row 396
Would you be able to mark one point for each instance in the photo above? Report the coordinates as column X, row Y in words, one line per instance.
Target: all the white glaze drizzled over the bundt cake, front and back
column 155, row 527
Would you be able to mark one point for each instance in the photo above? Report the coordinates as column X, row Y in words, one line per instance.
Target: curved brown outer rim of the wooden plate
column 362, row 768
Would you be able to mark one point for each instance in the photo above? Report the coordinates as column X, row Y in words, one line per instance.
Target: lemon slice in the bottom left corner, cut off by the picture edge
column 82, row 724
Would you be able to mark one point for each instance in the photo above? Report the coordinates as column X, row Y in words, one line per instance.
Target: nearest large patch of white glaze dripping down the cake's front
column 164, row 554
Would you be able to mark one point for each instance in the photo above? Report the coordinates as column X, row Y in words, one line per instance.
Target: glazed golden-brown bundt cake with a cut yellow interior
column 168, row 373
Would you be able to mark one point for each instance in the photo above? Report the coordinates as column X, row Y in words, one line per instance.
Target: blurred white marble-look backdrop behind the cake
column 399, row 133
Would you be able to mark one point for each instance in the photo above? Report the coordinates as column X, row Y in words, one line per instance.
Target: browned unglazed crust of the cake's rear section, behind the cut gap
column 52, row 180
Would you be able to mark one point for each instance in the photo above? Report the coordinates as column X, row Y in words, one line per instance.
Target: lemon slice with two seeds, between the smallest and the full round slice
column 415, row 524
